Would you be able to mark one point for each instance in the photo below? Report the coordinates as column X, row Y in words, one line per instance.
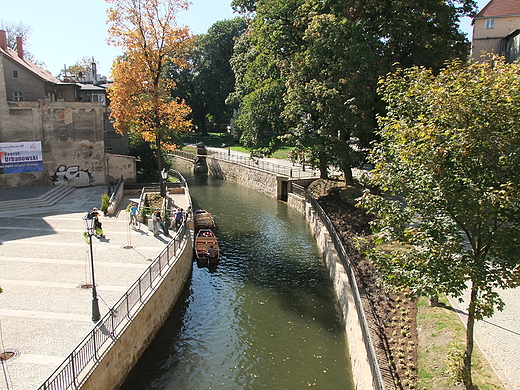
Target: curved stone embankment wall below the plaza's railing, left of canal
column 116, row 363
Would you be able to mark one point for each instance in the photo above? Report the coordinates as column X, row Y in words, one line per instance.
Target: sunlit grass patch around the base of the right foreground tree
column 440, row 328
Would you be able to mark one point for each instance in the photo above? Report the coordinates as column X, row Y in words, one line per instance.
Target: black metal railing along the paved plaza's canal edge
column 82, row 361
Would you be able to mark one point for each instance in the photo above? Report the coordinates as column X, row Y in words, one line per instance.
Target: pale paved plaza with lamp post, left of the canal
column 45, row 309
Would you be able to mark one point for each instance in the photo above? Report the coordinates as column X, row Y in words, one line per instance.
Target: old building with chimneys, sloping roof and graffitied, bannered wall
column 38, row 108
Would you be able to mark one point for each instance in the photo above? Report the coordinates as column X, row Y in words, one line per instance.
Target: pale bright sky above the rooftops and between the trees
column 64, row 31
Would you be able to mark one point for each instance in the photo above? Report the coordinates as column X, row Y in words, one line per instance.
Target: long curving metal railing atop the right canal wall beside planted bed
column 345, row 261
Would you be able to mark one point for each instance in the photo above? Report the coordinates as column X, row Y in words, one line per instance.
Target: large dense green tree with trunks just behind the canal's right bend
column 331, row 92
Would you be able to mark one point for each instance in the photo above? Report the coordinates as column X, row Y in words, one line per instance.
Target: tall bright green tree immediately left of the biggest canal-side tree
column 261, row 63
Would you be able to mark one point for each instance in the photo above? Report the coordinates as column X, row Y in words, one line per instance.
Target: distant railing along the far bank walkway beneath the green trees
column 293, row 172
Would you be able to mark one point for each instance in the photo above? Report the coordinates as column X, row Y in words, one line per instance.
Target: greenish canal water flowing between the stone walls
column 264, row 318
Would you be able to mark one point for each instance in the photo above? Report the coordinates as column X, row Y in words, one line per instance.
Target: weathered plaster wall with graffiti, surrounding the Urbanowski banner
column 72, row 141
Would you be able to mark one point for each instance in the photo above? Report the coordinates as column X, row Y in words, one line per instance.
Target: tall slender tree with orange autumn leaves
column 140, row 96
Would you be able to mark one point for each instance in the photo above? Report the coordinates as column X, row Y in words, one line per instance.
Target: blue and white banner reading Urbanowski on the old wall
column 20, row 157
